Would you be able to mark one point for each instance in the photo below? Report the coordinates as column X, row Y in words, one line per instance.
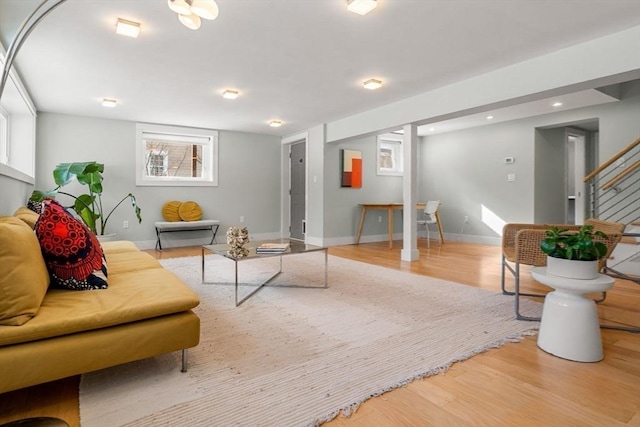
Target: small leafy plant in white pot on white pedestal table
column 573, row 254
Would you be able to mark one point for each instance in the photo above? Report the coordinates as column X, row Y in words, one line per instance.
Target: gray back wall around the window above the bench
column 249, row 177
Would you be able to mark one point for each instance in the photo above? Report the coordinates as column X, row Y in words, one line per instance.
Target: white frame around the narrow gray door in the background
column 285, row 182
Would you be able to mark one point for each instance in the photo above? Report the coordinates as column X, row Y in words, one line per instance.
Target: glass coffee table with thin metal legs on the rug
column 295, row 248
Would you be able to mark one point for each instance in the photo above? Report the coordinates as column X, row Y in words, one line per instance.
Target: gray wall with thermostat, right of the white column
column 466, row 169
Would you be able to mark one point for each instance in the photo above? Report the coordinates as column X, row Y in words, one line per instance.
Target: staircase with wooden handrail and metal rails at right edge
column 614, row 189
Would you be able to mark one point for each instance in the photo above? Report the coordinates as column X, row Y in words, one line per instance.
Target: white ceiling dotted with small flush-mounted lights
column 299, row 61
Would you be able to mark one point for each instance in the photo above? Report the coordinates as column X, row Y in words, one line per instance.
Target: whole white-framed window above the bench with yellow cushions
column 176, row 156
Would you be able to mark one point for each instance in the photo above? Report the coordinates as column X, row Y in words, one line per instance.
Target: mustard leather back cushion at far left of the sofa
column 23, row 275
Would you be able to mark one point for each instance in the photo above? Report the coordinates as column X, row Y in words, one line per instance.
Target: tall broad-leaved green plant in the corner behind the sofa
column 88, row 206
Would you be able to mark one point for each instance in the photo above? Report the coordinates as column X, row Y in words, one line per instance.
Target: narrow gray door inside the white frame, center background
column 297, row 190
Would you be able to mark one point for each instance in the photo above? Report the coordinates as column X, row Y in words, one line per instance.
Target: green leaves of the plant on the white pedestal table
column 574, row 245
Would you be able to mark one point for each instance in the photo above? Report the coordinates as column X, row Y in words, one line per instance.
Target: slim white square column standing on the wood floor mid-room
column 410, row 194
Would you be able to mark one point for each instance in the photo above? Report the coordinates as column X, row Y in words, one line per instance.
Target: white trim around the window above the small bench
column 208, row 138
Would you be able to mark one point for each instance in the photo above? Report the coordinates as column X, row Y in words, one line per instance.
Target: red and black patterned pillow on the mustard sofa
column 71, row 252
